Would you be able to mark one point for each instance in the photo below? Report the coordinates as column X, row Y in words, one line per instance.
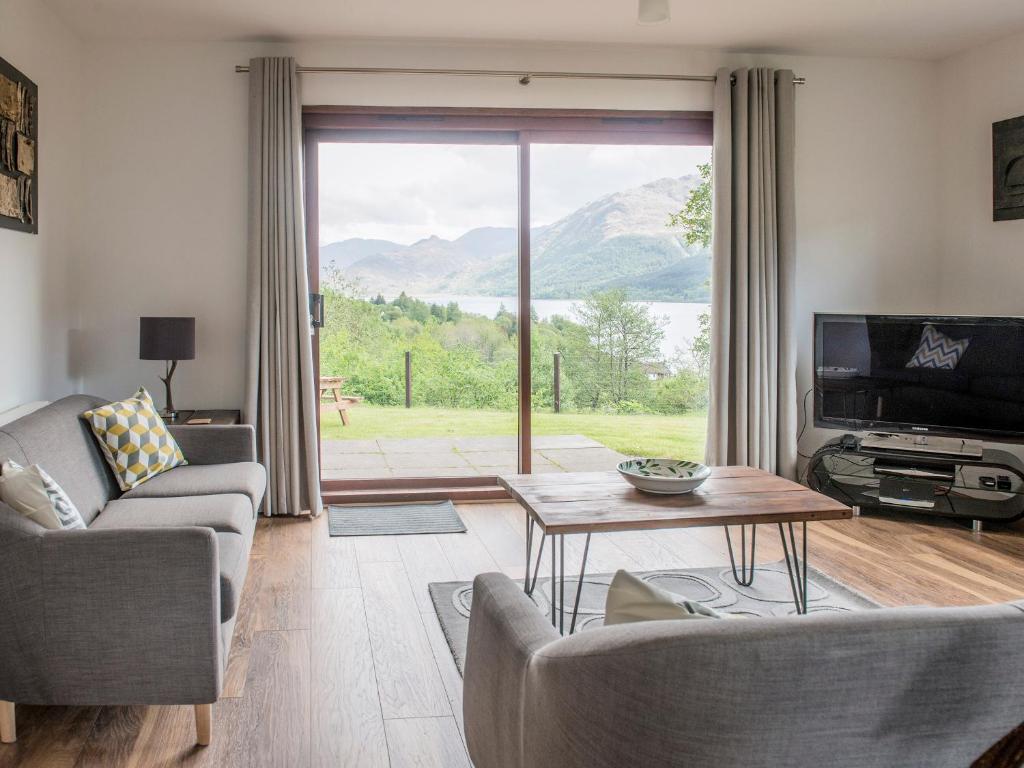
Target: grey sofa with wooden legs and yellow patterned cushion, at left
column 140, row 608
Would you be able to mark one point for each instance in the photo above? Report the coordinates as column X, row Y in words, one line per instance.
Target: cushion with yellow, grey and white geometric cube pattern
column 135, row 440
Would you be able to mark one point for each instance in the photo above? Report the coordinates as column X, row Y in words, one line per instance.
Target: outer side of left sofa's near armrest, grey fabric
column 129, row 617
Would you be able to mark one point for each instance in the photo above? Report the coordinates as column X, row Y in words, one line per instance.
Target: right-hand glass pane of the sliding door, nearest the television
column 620, row 297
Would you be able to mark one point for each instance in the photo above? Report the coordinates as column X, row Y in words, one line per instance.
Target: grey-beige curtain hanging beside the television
column 752, row 418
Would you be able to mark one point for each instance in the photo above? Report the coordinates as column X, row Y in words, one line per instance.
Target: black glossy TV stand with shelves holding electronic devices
column 986, row 489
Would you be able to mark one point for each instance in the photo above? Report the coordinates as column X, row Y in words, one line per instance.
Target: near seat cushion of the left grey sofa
column 225, row 514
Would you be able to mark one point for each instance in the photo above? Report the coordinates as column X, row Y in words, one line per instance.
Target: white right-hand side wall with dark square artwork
column 984, row 261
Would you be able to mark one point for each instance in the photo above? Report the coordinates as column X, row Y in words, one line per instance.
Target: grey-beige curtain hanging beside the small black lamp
column 281, row 394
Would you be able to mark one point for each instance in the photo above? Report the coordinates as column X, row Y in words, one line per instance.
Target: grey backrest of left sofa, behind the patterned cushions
column 56, row 438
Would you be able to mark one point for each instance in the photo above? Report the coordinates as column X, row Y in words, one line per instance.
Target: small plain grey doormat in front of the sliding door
column 395, row 520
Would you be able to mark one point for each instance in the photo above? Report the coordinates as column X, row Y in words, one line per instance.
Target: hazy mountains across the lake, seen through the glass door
column 618, row 241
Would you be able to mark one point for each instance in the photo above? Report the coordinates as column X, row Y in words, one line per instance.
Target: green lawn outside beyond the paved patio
column 677, row 437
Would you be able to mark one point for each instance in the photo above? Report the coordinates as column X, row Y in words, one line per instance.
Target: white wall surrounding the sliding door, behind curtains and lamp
column 167, row 138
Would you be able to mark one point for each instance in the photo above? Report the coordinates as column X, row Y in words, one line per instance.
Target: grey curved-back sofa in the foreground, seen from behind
column 893, row 688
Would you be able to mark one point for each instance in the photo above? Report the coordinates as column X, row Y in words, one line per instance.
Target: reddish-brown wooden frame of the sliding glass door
column 479, row 126
